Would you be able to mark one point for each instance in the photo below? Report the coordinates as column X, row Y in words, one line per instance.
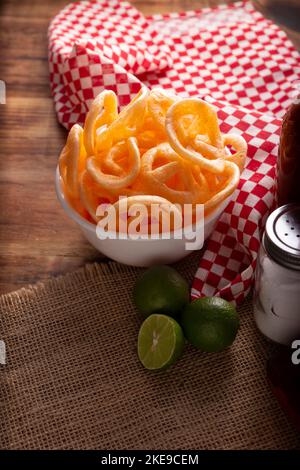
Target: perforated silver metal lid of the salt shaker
column 282, row 236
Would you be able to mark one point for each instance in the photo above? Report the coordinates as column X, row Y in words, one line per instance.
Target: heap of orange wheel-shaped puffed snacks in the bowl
column 159, row 148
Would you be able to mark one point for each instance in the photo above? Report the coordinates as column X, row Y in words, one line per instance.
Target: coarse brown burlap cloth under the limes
column 73, row 379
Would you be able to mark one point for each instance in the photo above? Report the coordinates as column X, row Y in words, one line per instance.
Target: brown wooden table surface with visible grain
column 36, row 238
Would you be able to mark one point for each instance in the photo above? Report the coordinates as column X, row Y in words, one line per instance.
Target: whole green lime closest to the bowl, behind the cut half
column 161, row 289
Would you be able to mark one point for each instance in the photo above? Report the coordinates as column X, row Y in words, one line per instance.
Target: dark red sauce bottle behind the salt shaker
column 288, row 164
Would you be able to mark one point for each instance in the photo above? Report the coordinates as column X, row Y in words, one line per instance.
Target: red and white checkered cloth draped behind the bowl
column 233, row 55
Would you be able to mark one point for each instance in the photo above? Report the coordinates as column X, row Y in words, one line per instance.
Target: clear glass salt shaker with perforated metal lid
column 277, row 277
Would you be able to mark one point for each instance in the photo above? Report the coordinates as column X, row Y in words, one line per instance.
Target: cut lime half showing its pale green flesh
column 160, row 342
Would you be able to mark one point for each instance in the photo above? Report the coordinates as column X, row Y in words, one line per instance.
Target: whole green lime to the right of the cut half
column 210, row 324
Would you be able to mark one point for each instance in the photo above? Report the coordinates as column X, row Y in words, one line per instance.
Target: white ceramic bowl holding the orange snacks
column 139, row 252
